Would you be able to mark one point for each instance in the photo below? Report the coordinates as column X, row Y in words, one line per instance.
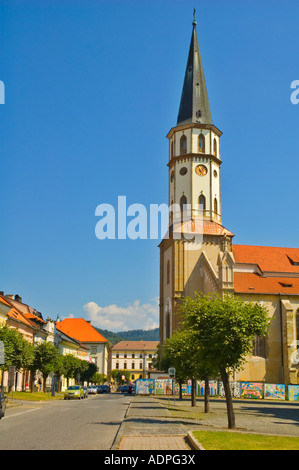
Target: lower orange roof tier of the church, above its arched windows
column 252, row 283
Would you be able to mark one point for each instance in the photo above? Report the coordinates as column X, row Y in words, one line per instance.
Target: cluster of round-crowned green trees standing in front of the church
column 214, row 338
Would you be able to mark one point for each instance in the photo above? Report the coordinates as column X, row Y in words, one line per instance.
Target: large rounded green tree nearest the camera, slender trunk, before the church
column 225, row 329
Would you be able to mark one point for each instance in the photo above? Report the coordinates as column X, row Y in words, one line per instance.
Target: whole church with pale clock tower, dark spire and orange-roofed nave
column 199, row 254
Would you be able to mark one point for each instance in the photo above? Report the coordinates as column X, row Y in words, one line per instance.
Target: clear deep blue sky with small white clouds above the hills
column 91, row 90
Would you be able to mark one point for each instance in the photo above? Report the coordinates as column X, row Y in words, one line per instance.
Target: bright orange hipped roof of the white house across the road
column 81, row 330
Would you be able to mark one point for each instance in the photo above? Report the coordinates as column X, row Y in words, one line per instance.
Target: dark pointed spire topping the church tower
column 194, row 105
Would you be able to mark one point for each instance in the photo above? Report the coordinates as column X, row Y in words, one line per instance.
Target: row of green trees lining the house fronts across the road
column 44, row 357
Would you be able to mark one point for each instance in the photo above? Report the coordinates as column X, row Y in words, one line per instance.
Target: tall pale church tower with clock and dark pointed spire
column 196, row 255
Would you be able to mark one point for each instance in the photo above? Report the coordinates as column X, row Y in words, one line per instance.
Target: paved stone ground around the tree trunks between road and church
column 148, row 425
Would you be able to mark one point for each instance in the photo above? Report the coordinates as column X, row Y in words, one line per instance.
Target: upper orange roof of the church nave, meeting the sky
column 269, row 259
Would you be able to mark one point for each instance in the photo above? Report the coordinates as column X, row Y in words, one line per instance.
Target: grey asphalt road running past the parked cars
column 89, row 424
